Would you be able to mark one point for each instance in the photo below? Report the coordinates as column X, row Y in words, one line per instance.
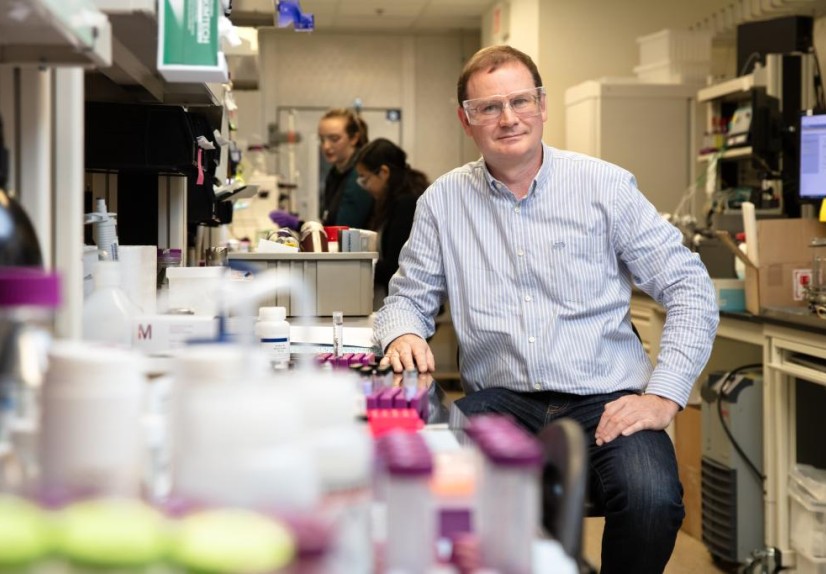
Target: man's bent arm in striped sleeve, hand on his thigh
column 660, row 265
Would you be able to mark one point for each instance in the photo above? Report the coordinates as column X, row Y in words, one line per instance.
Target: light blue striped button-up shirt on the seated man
column 539, row 288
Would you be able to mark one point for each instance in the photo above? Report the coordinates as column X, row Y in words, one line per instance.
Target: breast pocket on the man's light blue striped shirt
column 578, row 268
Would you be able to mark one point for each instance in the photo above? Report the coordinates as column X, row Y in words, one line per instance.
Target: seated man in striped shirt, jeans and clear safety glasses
column 537, row 250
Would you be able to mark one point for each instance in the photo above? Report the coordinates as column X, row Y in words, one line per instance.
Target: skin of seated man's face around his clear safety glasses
column 511, row 136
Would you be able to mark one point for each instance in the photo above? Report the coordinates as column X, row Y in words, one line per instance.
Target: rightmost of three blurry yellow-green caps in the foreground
column 232, row 541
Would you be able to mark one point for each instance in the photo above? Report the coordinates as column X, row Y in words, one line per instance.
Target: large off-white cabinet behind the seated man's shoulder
column 644, row 128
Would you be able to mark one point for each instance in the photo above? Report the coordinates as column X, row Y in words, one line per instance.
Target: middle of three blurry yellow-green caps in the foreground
column 115, row 536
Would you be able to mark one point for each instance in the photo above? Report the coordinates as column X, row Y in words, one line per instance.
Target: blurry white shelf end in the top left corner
column 54, row 32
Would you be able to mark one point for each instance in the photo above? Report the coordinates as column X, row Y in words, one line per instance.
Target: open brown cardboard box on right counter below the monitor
column 783, row 255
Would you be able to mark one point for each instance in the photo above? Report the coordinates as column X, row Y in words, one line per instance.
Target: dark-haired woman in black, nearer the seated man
column 384, row 172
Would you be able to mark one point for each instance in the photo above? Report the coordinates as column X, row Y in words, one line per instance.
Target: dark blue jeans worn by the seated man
column 633, row 479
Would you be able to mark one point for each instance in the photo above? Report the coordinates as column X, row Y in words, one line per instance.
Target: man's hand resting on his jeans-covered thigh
column 633, row 413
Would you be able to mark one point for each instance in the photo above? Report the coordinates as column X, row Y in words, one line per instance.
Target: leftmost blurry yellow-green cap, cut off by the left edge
column 25, row 536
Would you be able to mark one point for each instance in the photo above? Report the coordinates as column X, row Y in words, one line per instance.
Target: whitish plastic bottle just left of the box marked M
column 108, row 313
